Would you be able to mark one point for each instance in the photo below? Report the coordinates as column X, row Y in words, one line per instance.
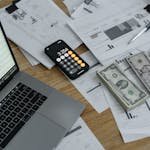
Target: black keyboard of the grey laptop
column 16, row 109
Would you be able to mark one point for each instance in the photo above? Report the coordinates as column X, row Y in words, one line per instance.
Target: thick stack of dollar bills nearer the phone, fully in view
column 125, row 91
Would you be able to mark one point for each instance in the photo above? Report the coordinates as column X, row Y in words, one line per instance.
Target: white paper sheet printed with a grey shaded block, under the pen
column 107, row 37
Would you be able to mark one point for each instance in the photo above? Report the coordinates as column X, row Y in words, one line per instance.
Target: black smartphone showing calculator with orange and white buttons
column 70, row 63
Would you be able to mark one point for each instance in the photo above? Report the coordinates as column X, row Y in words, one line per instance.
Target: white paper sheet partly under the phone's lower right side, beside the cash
column 90, row 86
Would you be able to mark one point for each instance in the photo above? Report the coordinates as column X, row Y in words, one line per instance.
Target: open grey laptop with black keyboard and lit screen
column 33, row 116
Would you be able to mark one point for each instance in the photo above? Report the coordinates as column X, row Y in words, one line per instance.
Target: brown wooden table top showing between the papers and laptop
column 102, row 125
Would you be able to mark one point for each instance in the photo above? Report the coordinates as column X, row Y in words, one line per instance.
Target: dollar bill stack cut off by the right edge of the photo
column 140, row 64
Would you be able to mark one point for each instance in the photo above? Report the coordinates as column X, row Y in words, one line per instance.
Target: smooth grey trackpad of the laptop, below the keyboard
column 39, row 133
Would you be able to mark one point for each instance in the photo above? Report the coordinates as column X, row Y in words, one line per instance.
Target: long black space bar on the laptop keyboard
column 12, row 134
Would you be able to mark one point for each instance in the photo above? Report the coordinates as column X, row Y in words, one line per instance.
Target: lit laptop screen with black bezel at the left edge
column 7, row 63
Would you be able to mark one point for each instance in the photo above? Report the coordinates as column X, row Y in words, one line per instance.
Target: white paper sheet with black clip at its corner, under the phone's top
column 37, row 24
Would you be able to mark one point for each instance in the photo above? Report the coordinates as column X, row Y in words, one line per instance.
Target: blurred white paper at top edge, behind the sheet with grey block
column 106, row 7
